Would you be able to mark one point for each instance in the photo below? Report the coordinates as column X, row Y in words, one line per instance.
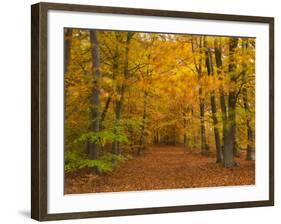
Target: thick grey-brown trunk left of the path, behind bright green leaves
column 95, row 98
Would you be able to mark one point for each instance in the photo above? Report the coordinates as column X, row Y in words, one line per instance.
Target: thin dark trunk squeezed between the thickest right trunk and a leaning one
column 218, row 57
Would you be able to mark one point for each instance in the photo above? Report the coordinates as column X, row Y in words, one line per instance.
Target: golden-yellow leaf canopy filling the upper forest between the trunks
column 166, row 67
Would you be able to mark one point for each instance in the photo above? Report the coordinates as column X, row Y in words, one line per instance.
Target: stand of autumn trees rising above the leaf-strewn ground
column 127, row 91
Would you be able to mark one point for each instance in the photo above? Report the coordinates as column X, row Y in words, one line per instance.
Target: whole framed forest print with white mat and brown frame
column 139, row 111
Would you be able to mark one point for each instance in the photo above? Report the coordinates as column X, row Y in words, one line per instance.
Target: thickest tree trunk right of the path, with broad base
column 229, row 139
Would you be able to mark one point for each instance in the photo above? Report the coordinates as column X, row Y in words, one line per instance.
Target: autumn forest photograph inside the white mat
column 156, row 111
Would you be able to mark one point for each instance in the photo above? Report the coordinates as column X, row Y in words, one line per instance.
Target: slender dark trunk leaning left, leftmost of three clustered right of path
column 210, row 70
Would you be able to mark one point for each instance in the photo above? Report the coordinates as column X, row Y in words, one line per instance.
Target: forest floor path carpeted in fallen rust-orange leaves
column 163, row 167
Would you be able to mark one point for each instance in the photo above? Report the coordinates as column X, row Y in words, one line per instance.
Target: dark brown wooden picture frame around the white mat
column 39, row 106
